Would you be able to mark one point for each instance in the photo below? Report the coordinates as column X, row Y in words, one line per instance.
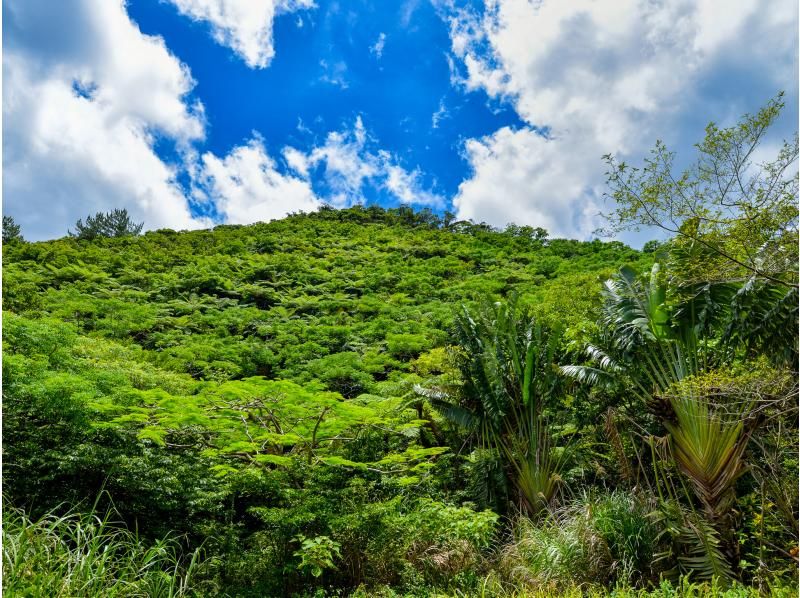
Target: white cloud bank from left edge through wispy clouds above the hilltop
column 87, row 98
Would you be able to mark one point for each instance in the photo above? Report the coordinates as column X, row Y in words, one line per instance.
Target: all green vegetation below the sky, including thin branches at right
column 388, row 402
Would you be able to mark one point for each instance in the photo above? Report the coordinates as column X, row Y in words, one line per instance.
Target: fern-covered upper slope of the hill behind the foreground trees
column 279, row 299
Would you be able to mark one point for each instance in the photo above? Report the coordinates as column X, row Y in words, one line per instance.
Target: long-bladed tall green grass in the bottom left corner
column 84, row 555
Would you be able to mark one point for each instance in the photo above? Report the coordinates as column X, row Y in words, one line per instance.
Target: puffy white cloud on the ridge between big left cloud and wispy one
column 246, row 186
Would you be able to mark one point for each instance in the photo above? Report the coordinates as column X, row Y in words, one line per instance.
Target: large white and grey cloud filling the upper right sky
column 603, row 77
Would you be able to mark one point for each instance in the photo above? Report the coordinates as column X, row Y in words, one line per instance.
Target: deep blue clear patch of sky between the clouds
column 328, row 72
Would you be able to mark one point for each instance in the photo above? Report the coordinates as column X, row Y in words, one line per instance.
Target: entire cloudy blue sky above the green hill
column 192, row 113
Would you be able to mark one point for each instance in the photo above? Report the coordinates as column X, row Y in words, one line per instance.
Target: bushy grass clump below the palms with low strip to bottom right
column 600, row 545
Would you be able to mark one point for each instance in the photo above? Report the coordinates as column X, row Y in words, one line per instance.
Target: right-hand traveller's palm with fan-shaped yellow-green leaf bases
column 664, row 362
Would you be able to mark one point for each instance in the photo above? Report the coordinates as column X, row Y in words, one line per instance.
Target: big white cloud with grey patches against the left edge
column 85, row 96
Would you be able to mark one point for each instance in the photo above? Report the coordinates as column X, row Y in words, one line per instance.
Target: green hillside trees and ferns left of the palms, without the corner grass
column 252, row 387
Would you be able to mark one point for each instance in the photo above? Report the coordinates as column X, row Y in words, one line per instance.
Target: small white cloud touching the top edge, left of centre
column 245, row 26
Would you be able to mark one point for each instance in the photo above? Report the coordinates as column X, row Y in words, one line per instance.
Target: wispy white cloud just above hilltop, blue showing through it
column 348, row 161
